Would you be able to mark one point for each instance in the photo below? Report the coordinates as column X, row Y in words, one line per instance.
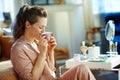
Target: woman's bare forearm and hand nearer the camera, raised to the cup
column 40, row 61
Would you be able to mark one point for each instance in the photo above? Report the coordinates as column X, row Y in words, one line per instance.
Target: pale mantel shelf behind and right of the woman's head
column 58, row 8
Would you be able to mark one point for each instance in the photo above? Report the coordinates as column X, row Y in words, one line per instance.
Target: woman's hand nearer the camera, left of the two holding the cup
column 42, row 44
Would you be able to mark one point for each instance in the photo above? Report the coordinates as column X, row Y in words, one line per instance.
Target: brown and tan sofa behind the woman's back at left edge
column 6, row 69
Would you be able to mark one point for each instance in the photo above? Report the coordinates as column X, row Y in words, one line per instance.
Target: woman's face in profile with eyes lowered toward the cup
column 39, row 27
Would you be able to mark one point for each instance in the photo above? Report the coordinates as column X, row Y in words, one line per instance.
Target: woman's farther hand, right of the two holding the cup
column 51, row 44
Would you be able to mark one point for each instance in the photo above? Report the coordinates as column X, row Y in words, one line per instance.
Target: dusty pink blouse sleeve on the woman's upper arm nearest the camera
column 21, row 63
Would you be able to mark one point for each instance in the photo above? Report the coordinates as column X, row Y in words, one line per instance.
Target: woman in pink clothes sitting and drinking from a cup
column 32, row 55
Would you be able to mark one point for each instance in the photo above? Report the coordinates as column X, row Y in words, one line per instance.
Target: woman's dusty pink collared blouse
column 23, row 57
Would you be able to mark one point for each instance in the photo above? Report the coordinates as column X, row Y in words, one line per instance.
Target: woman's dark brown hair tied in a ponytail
column 26, row 13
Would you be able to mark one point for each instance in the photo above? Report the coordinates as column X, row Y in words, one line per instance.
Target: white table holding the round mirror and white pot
column 108, row 63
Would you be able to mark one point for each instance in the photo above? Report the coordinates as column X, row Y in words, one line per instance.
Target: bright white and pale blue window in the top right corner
column 103, row 6
